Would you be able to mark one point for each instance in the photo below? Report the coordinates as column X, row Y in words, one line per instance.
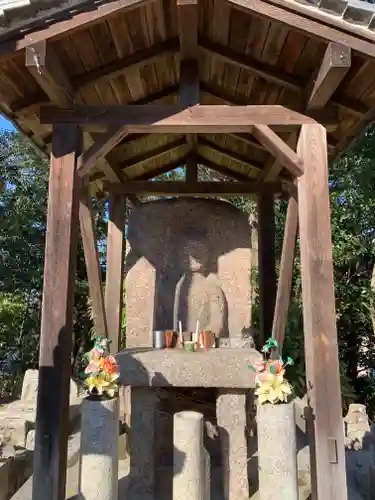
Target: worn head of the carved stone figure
column 195, row 251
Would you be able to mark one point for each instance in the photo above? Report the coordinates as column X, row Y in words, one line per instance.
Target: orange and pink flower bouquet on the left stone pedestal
column 101, row 372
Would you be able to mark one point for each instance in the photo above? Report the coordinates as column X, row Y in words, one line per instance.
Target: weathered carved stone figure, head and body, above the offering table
column 199, row 296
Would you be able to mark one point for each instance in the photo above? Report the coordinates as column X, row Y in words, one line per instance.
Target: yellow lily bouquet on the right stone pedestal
column 271, row 386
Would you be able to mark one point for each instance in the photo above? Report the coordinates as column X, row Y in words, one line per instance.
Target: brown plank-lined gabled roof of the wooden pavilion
column 248, row 51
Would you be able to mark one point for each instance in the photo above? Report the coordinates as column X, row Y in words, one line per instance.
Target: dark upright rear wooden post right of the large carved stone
column 267, row 266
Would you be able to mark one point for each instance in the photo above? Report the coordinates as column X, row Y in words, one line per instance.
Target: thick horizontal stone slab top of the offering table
column 226, row 368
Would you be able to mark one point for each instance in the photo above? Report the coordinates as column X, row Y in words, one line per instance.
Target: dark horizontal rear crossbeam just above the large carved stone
column 178, row 188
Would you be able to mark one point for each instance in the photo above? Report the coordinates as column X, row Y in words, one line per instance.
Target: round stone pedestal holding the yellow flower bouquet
column 277, row 452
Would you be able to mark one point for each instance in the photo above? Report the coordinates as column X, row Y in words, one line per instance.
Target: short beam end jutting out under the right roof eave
column 335, row 65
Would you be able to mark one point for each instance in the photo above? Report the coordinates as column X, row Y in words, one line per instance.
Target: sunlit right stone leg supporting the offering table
column 231, row 420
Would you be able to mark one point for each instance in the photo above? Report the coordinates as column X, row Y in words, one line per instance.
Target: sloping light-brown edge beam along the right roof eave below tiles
column 304, row 25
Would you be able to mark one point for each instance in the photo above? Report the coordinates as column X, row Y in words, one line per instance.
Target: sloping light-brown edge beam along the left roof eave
column 76, row 22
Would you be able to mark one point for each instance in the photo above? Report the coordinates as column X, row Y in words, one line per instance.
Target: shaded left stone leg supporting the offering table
column 142, row 433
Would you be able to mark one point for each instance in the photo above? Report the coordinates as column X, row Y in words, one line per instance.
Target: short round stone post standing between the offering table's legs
column 189, row 461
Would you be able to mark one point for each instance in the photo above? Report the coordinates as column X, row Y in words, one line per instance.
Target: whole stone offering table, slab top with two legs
column 226, row 370
